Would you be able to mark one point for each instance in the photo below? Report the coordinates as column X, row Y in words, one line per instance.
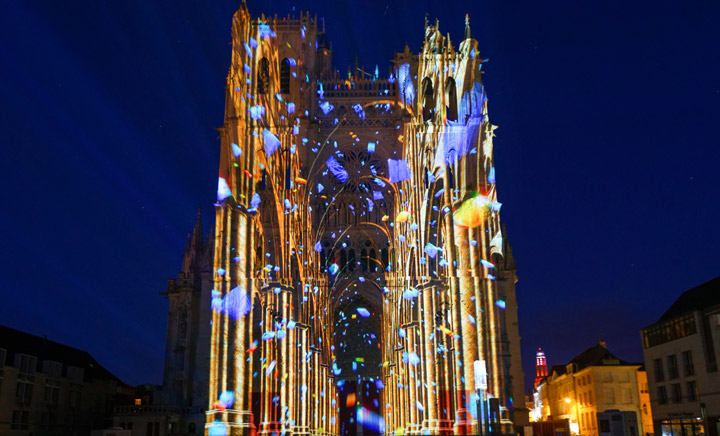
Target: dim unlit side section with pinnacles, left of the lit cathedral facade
column 178, row 407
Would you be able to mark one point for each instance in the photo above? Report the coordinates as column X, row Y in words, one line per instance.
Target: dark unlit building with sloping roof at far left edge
column 47, row 388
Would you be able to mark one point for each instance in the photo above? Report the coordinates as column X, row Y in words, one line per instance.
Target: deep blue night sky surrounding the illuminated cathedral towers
column 607, row 156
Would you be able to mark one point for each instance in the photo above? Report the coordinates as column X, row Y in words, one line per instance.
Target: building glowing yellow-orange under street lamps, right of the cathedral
column 593, row 381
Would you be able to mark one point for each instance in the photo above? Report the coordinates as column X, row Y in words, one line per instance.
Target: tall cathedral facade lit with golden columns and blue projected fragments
column 361, row 277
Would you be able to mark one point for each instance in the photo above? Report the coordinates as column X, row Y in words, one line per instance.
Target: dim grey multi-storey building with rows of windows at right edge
column 682, row 350
